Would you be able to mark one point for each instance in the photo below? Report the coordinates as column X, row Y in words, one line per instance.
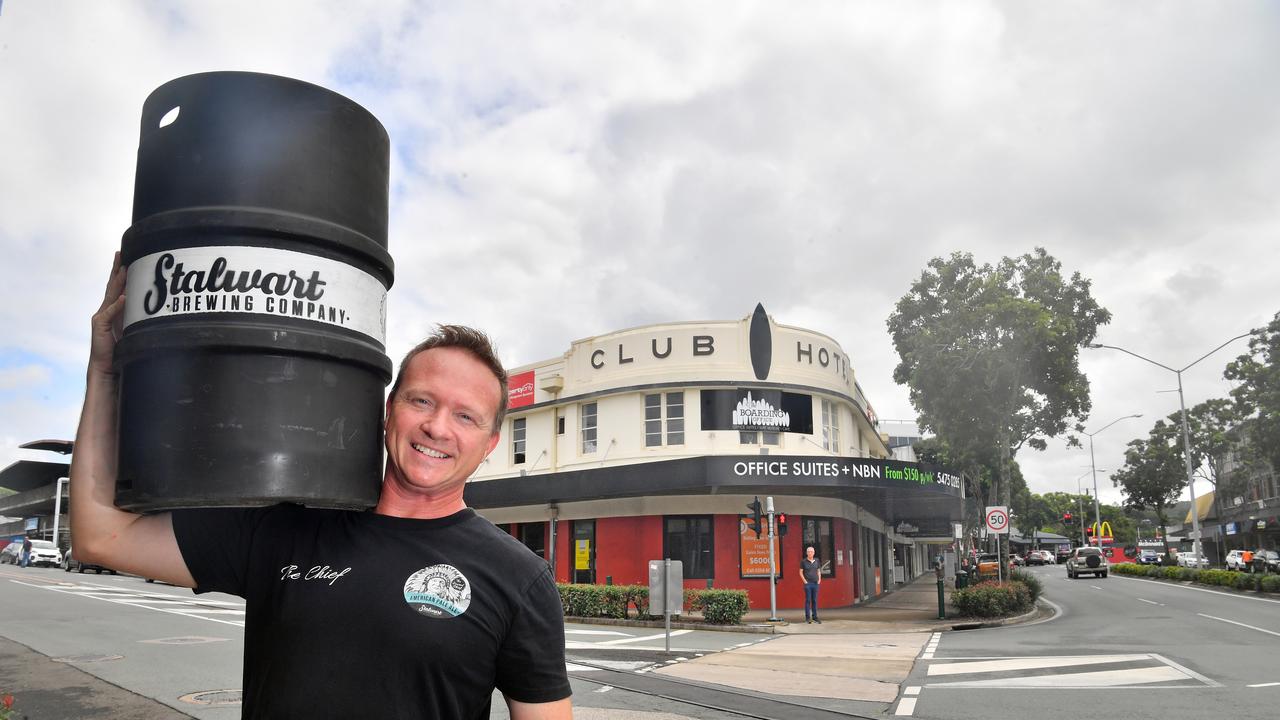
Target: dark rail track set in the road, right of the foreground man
column 725, row 700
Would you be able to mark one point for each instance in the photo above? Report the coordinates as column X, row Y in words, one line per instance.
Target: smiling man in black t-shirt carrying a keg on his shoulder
column 417, row 609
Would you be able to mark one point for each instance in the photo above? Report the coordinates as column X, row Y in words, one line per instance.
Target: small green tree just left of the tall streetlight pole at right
column 1154, row 476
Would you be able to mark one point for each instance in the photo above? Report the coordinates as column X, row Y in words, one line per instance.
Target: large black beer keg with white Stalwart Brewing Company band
column 253, row 364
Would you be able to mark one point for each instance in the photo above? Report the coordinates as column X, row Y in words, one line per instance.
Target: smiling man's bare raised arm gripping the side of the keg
column 102, row 534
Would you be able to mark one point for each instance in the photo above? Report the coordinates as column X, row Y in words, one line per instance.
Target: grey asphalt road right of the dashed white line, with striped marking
column 1121, row 648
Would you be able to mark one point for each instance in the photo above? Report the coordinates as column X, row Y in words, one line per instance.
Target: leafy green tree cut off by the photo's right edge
column 1258, row 395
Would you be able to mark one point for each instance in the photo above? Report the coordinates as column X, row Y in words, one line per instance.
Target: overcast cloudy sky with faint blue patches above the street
column 568, row 170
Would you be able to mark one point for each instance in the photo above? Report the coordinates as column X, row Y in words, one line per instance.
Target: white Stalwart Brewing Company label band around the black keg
column 259, row 281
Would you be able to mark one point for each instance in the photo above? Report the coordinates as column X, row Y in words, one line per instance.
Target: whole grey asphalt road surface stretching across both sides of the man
column 1119, row 648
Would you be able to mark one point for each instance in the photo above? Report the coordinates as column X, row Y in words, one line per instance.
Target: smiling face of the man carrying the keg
column 440, row 425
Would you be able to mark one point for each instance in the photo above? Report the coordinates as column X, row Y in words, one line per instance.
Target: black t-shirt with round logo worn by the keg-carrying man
column 365, row 616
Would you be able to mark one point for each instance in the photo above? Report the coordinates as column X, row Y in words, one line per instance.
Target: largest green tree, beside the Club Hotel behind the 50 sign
column 991, row 354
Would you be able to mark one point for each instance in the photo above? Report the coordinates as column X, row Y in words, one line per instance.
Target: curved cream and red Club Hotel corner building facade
column 652, row 443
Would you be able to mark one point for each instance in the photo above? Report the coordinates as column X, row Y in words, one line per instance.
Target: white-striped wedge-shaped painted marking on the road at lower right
column 1139, row 671
